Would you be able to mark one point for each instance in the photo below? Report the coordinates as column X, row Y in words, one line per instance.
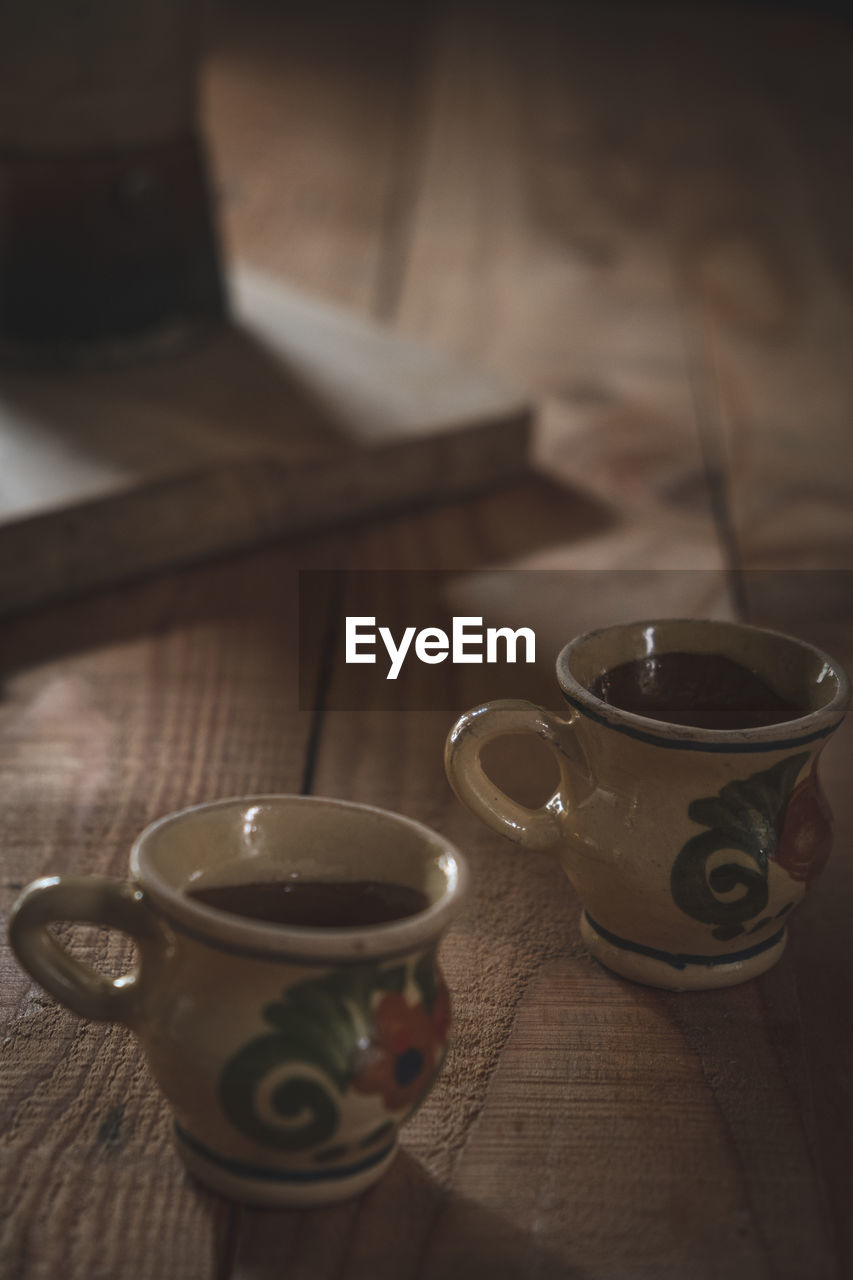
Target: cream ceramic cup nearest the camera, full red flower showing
column 290, row 1055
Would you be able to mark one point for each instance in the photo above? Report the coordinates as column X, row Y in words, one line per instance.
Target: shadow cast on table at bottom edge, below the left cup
column 408, row 1226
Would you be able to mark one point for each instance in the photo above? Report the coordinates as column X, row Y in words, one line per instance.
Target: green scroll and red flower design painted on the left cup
column 288, row 1087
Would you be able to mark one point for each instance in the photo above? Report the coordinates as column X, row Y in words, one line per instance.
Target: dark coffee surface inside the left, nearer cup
column 316, row 904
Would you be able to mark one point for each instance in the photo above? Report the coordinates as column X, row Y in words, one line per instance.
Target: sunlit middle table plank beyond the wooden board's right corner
column 535, row 252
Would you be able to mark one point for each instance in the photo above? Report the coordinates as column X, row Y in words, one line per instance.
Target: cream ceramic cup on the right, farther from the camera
column 688, row 847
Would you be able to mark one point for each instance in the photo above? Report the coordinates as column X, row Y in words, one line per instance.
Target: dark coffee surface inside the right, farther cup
column 703, row 691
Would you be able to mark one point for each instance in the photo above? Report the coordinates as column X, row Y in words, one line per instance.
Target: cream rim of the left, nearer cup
column 305, row 944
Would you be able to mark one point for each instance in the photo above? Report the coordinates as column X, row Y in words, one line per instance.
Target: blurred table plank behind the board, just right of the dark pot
column 313, row 122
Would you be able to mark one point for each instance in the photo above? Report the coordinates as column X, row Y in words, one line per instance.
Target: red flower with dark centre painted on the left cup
column 400, row 1060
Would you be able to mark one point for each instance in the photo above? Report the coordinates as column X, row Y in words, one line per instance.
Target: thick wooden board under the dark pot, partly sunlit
column 299, row 417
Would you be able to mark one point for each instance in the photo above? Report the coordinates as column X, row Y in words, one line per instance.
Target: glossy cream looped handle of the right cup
column 535, row 829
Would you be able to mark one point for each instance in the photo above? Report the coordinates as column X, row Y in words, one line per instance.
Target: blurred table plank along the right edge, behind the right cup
column 769, row 310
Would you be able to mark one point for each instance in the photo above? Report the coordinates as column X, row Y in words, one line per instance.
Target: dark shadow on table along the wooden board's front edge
column 261, row 586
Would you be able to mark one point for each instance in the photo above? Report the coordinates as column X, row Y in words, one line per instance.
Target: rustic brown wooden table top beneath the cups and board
column 642, row 216
